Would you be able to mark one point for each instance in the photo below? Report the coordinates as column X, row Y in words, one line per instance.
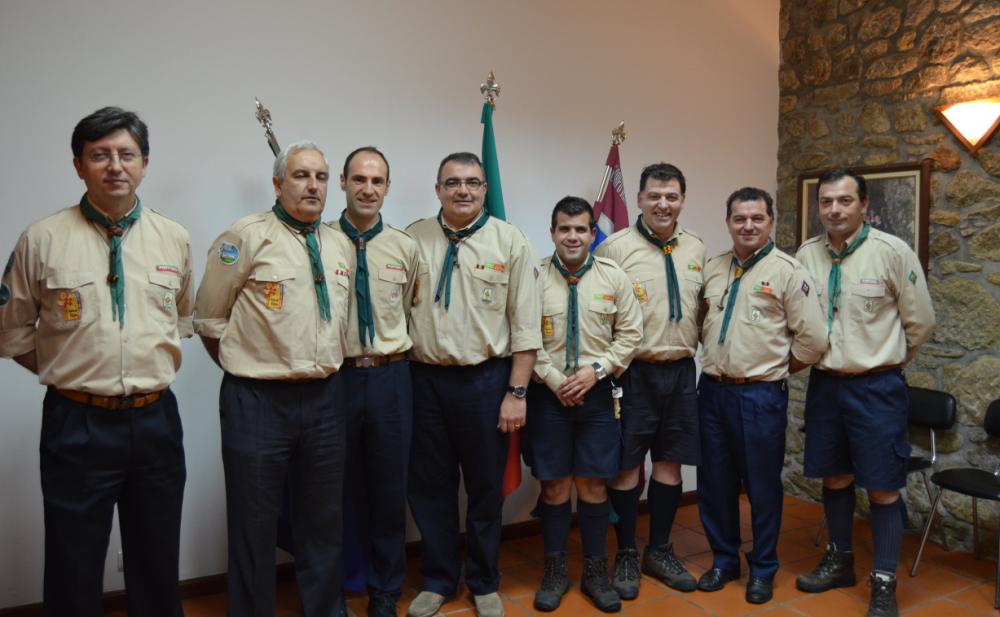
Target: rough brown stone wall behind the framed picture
column 858, row 80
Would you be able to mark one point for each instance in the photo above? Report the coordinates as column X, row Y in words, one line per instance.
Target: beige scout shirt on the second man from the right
column 776, row 313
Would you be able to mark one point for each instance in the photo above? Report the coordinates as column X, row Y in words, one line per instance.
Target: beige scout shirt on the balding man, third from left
column 392, row 274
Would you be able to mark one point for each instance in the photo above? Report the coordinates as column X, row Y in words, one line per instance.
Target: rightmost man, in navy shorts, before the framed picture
column 878, row 312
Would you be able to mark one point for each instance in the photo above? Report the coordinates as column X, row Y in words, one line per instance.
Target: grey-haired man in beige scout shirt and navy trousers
column 272, row 312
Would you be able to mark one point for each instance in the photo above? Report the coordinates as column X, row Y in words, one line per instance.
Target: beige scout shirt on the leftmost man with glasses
column 60, row 305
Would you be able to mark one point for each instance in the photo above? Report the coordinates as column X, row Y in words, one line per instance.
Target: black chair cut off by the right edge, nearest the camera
column 976, row 483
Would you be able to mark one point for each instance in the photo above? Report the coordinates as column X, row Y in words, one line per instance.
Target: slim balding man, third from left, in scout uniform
column 376, row 374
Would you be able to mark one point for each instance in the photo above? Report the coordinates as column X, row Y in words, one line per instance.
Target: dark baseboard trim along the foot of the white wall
column 216, row 583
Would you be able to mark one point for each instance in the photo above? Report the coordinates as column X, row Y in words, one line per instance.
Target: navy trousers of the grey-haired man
column 273, row 430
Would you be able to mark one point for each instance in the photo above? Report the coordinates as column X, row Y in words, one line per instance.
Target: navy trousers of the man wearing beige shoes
column 455, row 414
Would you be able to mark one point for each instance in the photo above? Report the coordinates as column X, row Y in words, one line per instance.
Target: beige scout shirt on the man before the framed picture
column 885, row 307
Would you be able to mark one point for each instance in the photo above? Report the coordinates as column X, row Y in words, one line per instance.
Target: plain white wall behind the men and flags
column 696, row 83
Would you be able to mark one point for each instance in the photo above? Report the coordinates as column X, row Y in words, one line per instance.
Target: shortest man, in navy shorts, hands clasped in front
column 591, row 326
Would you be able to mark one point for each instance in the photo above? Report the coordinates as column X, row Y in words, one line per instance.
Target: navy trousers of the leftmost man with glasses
column 91, row 460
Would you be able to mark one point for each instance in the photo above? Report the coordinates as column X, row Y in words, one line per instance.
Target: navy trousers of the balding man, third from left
column 378, row 405
